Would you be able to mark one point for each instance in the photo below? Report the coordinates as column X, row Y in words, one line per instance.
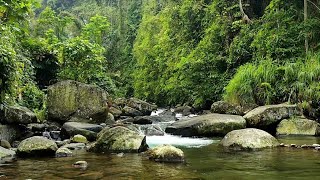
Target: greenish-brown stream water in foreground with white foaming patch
column 203, row 161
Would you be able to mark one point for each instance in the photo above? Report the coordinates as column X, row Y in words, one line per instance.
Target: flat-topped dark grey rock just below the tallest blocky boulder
column 90, row 131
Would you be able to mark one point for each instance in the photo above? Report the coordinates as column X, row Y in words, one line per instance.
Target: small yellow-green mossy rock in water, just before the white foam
column 166, row 153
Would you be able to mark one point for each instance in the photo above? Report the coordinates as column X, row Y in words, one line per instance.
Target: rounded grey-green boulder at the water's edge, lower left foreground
column 37, row 146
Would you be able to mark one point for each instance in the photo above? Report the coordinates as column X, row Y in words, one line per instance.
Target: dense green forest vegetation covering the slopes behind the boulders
column 165, row 51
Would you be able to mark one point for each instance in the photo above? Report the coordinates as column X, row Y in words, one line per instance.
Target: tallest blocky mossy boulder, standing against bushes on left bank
column 71, row 98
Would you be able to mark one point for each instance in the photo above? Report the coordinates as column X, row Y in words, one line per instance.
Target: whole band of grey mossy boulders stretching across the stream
column 84, row 117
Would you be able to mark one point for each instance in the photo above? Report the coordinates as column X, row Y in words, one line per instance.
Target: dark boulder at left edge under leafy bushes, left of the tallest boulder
column 18, row 115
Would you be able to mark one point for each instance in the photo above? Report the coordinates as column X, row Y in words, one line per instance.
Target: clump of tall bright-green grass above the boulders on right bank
column 270, row 83
